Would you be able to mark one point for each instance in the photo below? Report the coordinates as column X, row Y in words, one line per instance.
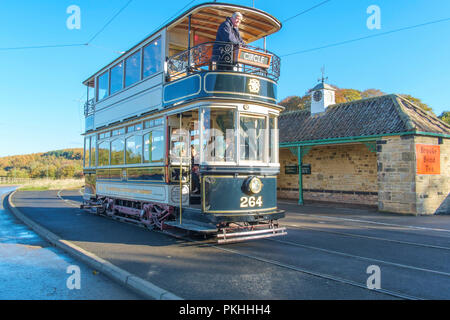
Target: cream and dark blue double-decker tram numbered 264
column 181, row 130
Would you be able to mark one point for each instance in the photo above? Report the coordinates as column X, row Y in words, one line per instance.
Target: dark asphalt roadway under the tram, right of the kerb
column 326, row 254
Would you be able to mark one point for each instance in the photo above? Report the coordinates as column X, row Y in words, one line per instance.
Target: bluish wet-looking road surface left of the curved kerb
column 31, row 269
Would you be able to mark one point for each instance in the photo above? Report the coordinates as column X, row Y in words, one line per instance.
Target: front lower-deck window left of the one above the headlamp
column 218, row 135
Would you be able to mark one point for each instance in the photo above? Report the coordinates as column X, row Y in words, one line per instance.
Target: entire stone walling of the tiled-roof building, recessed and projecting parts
column 351, row 173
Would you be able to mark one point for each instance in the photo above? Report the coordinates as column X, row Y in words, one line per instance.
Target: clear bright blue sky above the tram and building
column 42, row 95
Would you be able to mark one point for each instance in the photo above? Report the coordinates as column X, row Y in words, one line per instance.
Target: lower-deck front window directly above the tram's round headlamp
column 252, row 138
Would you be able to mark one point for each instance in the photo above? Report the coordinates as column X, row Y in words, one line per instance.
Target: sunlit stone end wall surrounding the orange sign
column 433, row 191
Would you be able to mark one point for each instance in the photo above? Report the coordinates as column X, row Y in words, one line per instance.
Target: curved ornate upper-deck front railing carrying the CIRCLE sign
column 224, row 56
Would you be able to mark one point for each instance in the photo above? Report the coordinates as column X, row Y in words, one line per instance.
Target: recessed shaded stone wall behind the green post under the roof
column 339, row 173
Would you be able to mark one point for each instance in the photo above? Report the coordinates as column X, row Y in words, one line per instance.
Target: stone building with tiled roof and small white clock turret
column 382, row 151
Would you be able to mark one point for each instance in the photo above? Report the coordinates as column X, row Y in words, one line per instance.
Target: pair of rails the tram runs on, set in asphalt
column 210, row 244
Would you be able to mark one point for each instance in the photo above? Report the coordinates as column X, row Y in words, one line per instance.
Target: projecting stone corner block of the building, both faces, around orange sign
column 401, row 188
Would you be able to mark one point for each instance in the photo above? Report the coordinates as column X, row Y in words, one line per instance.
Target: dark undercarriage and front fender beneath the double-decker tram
column 157, row 216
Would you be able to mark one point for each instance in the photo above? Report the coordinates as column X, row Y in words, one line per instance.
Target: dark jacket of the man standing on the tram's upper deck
column 226, row 33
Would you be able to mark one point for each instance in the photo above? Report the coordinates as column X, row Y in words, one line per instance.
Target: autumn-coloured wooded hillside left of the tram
column 59, row 164
